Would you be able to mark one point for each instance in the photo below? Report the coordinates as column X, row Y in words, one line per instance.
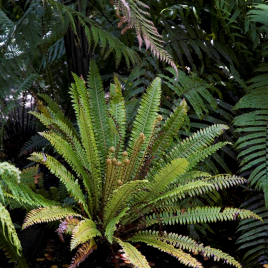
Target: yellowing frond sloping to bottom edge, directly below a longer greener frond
column 183, row 257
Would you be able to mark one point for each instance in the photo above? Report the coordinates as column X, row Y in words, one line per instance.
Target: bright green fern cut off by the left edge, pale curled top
column 16, row 191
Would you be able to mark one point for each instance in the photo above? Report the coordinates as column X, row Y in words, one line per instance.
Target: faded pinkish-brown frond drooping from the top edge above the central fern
column 132, row 14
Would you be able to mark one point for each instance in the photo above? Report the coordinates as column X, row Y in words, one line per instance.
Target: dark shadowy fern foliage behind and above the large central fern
column 219, row 48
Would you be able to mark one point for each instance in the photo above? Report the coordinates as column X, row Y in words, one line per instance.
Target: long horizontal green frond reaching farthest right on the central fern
column 199, row 215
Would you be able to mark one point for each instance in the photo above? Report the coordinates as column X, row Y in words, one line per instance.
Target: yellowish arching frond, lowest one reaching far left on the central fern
column 47, row 214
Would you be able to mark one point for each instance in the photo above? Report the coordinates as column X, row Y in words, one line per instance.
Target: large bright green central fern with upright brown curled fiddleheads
column 125, row 187
